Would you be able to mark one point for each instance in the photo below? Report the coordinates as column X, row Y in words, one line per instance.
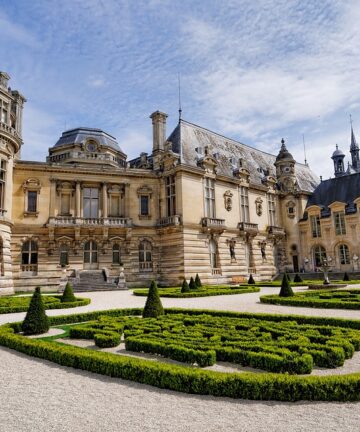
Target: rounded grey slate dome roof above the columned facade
column 81, row 134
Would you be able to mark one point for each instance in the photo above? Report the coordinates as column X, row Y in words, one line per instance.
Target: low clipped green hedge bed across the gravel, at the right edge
column 332, row 299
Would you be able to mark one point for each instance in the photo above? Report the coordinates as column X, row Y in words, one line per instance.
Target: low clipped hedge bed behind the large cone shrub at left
column 14, row 304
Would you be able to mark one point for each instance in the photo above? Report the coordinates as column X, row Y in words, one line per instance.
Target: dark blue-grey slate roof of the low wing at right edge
column 341, row 189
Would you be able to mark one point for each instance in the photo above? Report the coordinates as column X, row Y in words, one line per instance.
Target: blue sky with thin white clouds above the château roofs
column 254, row 71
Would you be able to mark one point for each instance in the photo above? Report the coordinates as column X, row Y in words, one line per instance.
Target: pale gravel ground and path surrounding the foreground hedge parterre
column 40, row 396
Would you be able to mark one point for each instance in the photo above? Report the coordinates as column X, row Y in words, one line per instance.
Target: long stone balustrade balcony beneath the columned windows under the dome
column 68, row 221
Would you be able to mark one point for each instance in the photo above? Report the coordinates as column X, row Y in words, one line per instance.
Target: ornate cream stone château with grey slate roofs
column 199, row 203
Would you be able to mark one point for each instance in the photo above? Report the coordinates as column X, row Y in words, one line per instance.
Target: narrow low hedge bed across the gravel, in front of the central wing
column 204, row 291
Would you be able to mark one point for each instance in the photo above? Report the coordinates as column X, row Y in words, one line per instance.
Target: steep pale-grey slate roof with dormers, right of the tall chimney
column 190, row 140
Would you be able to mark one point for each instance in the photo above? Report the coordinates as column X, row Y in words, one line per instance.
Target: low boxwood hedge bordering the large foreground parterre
column 257, row 386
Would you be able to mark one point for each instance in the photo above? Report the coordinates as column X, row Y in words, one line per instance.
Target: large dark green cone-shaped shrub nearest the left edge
column 36, row 321
